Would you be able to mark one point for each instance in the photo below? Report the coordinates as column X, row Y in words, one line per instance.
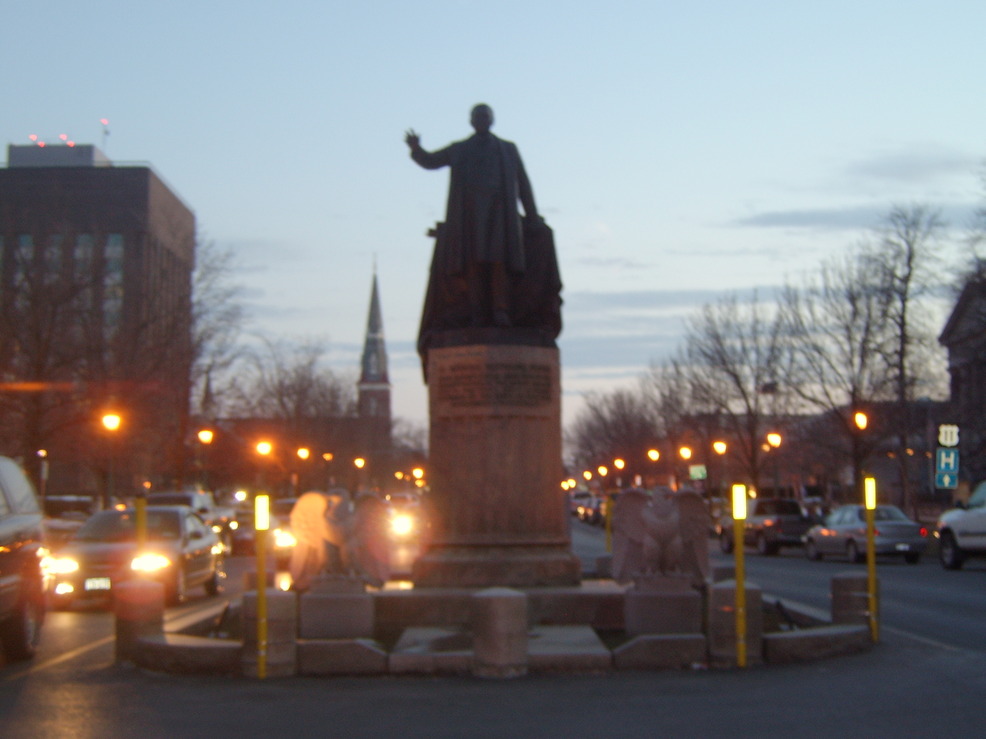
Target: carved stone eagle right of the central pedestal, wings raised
column 663, row 534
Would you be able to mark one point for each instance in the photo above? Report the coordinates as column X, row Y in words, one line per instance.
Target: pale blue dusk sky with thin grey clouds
column 678, row 150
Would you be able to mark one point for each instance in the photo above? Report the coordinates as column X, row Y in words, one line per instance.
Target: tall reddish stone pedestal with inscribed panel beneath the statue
column 499, row 513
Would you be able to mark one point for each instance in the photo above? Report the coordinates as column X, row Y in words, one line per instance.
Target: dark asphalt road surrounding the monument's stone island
column 905, row 687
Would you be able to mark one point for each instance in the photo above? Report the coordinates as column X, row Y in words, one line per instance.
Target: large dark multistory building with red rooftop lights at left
column 96, row 266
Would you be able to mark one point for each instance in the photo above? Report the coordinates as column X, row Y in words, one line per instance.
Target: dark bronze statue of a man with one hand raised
column 483, row 234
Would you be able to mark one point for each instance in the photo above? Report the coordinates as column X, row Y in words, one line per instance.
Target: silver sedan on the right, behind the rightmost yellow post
column 843, row 534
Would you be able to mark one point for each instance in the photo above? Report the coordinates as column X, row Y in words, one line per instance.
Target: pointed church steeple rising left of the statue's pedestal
column 374, row 384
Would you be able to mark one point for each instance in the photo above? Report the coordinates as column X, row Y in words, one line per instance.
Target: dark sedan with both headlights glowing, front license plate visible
column 181, row 552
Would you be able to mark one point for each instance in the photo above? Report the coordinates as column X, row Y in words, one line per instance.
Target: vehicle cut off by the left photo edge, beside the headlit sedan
column 22, row 600
